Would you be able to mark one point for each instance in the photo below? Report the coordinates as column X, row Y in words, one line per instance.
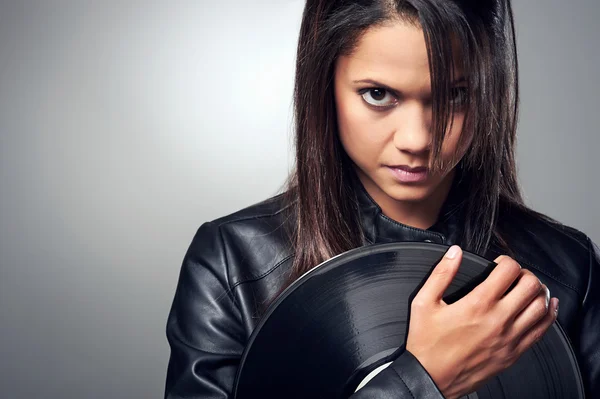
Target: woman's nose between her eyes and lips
column 413, row 128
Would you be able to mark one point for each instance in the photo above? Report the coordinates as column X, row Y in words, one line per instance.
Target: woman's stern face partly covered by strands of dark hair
column 384, row 110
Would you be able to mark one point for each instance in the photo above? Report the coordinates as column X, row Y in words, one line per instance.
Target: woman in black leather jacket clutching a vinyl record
column 405, row 130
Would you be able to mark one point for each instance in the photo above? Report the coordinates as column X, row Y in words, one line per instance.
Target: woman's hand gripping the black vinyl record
column 463, row 344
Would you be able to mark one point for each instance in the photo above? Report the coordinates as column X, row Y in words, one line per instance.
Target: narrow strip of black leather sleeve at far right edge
column 589, row 331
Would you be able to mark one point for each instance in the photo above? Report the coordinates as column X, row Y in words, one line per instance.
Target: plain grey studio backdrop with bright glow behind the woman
column 125, row 125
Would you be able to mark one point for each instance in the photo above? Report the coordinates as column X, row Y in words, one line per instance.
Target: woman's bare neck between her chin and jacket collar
column 419, row 214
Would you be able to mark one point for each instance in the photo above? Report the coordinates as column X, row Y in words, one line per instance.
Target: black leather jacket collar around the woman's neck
column 378, row 228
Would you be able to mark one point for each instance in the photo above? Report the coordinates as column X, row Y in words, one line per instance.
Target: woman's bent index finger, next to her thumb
column 499, row 280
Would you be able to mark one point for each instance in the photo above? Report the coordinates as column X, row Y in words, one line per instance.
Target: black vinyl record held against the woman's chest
column 348, row 317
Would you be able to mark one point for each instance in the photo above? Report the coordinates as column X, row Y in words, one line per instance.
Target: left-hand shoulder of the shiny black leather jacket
column 246, row 244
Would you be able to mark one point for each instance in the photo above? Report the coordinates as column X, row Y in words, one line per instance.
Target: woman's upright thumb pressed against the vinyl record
column 441, row 276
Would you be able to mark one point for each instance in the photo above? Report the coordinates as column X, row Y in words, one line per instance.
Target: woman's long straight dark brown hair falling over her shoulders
column 319, row 191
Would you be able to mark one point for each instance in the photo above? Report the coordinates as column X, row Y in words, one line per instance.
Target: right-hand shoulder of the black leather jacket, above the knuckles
column 537, row 241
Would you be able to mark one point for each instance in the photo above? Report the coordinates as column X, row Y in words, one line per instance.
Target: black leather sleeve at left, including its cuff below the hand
column 205, row 332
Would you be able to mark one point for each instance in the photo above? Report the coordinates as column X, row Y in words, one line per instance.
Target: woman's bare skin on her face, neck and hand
column 383, row 102
